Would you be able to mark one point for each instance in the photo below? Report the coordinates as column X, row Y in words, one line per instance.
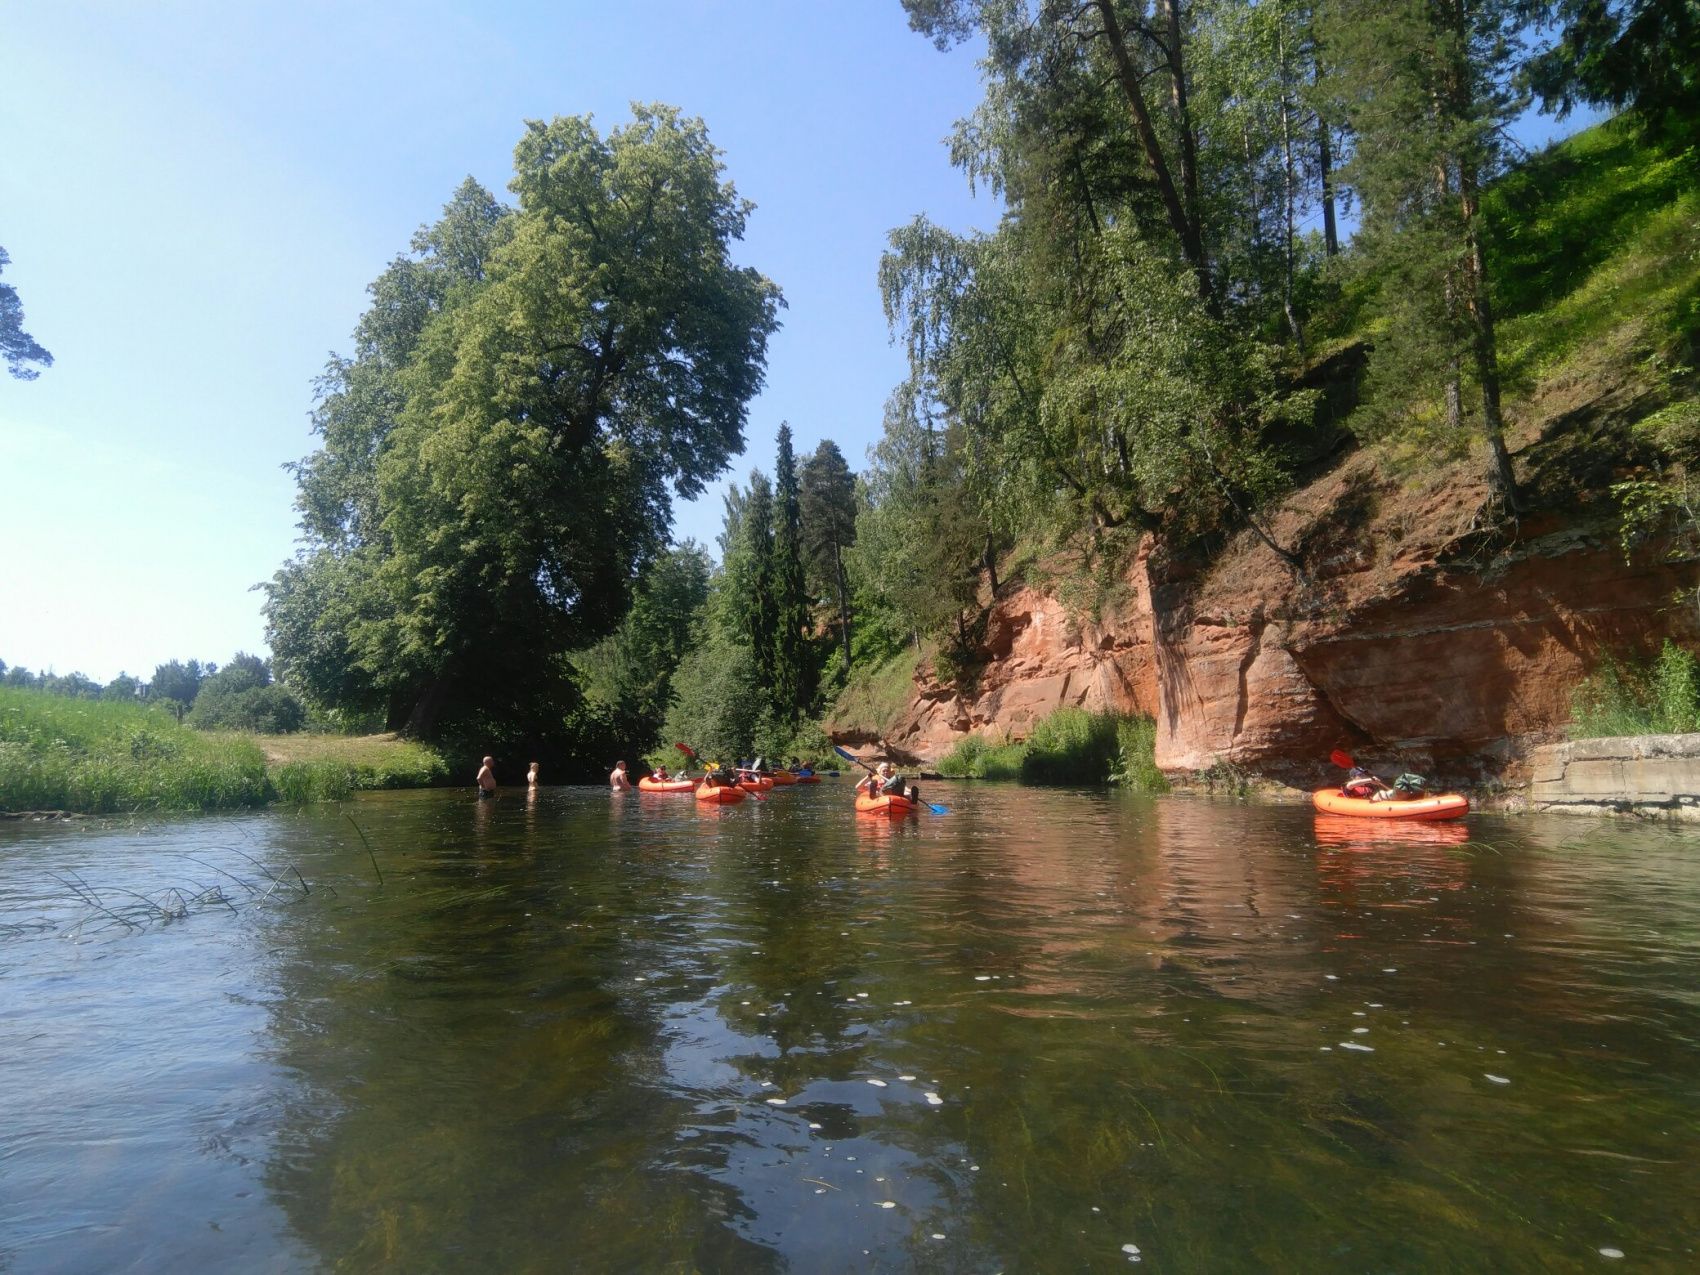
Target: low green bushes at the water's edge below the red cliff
column 1067, row 747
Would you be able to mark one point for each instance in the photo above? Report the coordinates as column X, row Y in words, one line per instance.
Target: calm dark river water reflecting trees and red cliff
column 1045, row 1033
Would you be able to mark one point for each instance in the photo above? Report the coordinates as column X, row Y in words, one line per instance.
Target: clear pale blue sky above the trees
column 196, row 195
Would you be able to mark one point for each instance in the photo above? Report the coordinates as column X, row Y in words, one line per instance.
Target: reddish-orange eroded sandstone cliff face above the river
column 1412, row 638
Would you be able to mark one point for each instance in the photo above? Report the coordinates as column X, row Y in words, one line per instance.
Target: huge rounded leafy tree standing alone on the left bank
column 530, row 392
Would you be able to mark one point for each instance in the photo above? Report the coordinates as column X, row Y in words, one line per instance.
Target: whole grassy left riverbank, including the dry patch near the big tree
column 101, row 757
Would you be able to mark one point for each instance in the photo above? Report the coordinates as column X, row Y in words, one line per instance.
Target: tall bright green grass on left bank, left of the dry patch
column 103, row 757
